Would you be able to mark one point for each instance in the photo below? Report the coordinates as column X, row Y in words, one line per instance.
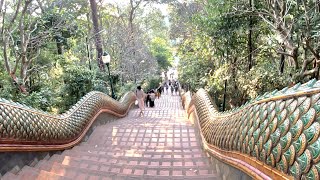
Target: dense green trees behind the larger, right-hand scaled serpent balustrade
column 255, row 46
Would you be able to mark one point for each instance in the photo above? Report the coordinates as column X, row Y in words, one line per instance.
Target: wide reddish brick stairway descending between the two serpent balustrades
column 160, row 145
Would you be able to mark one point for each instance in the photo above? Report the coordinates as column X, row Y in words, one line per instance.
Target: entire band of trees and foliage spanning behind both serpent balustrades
column 51, row 49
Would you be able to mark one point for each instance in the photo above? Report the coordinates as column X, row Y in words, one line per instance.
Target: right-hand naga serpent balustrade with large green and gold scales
column 274, row 136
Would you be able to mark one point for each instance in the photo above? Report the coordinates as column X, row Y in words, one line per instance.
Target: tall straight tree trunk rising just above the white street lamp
column 96, row 28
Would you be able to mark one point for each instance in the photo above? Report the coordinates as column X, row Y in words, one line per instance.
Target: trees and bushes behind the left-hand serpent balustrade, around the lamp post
column 47, row 58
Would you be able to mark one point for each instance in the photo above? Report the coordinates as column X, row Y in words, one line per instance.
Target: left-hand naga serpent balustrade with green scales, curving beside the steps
column 26, row 129
